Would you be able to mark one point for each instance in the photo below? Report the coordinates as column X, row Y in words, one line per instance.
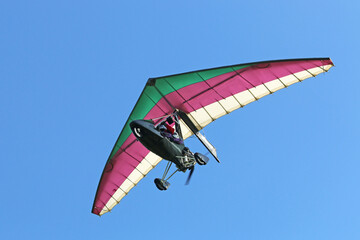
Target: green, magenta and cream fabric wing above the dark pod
column 204, row 96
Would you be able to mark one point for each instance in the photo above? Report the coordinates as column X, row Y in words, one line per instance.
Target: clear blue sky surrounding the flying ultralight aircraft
column 71, row 71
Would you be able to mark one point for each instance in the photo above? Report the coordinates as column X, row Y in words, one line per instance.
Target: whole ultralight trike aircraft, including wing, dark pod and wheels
column 172, row 108
